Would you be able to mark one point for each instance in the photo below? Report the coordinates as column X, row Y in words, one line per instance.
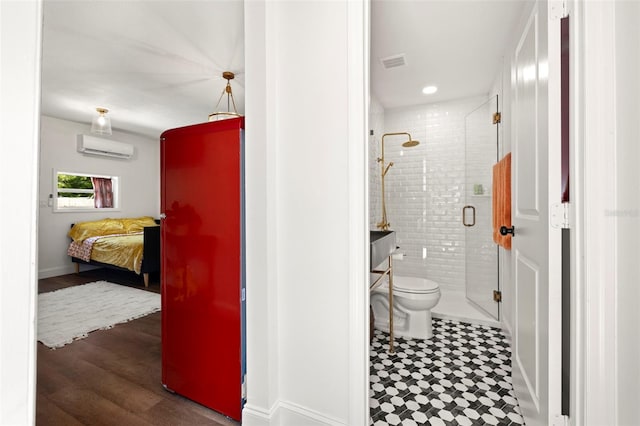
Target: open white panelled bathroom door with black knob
column 536, row 151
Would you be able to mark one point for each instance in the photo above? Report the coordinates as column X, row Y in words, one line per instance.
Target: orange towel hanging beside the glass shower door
column 502, row 200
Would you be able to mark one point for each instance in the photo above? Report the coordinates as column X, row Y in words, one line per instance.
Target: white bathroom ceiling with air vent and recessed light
column 456, row 45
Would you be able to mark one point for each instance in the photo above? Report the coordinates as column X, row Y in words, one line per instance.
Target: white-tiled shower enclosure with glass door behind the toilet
column 426, row 191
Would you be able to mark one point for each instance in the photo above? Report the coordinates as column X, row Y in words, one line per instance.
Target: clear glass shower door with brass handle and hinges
column 481, row 260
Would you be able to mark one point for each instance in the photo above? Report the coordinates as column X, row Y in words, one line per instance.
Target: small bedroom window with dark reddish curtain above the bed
column 84, row 192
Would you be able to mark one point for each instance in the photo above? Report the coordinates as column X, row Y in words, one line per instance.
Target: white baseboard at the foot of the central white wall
column 286, row 413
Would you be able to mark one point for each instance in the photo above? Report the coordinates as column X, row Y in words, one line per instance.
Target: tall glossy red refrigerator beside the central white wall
column 201, row 198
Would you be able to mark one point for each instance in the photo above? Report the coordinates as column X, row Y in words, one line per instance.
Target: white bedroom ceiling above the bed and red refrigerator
column 155, row 65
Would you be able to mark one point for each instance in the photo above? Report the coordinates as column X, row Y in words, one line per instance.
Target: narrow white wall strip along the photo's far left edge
column 20, row 34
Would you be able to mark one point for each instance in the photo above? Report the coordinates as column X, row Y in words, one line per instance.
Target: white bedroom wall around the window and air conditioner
column 139, row 180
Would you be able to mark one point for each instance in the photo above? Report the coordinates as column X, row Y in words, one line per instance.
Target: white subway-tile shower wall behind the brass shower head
column 425, row 189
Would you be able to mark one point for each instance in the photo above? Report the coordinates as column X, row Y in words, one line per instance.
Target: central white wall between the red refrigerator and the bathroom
column 307, row 293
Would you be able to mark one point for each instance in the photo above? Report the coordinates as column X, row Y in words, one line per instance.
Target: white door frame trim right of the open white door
column 593, row 259
